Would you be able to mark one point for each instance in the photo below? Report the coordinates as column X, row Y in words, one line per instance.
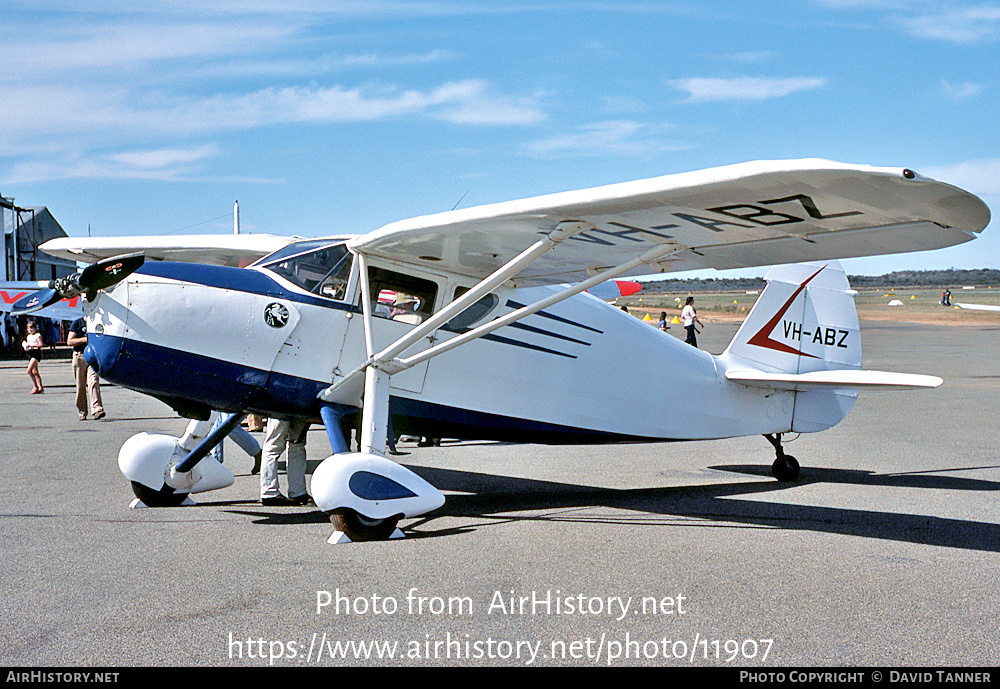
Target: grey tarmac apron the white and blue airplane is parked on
column 884, row 553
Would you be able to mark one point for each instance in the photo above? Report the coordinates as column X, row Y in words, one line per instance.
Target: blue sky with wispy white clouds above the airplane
column 323, row 117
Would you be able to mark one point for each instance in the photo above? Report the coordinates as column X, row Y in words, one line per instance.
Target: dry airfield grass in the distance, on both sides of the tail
column 919, row 305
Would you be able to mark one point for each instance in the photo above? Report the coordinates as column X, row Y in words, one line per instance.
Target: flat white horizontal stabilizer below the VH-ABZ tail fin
column 842, row 378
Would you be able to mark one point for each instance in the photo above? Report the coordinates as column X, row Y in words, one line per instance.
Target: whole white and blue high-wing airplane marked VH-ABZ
column 495, row 337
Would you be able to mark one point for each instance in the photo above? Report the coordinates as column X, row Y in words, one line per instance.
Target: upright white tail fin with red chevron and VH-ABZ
column 804, row 321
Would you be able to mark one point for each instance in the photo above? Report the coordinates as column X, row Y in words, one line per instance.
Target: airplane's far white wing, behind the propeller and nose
column 235, row 250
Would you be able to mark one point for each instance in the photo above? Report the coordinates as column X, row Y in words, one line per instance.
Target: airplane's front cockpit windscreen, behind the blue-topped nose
column 323, row 271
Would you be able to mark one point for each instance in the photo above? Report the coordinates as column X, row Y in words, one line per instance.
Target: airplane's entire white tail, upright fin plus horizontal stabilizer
column 802, row 337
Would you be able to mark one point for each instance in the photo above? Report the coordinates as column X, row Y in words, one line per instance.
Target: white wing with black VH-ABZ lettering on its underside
column 750, row 214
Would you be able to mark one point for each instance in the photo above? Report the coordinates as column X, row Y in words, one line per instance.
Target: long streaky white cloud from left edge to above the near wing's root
column 33, row 116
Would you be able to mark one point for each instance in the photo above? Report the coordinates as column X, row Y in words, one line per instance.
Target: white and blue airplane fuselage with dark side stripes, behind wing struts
column 269, row 338
